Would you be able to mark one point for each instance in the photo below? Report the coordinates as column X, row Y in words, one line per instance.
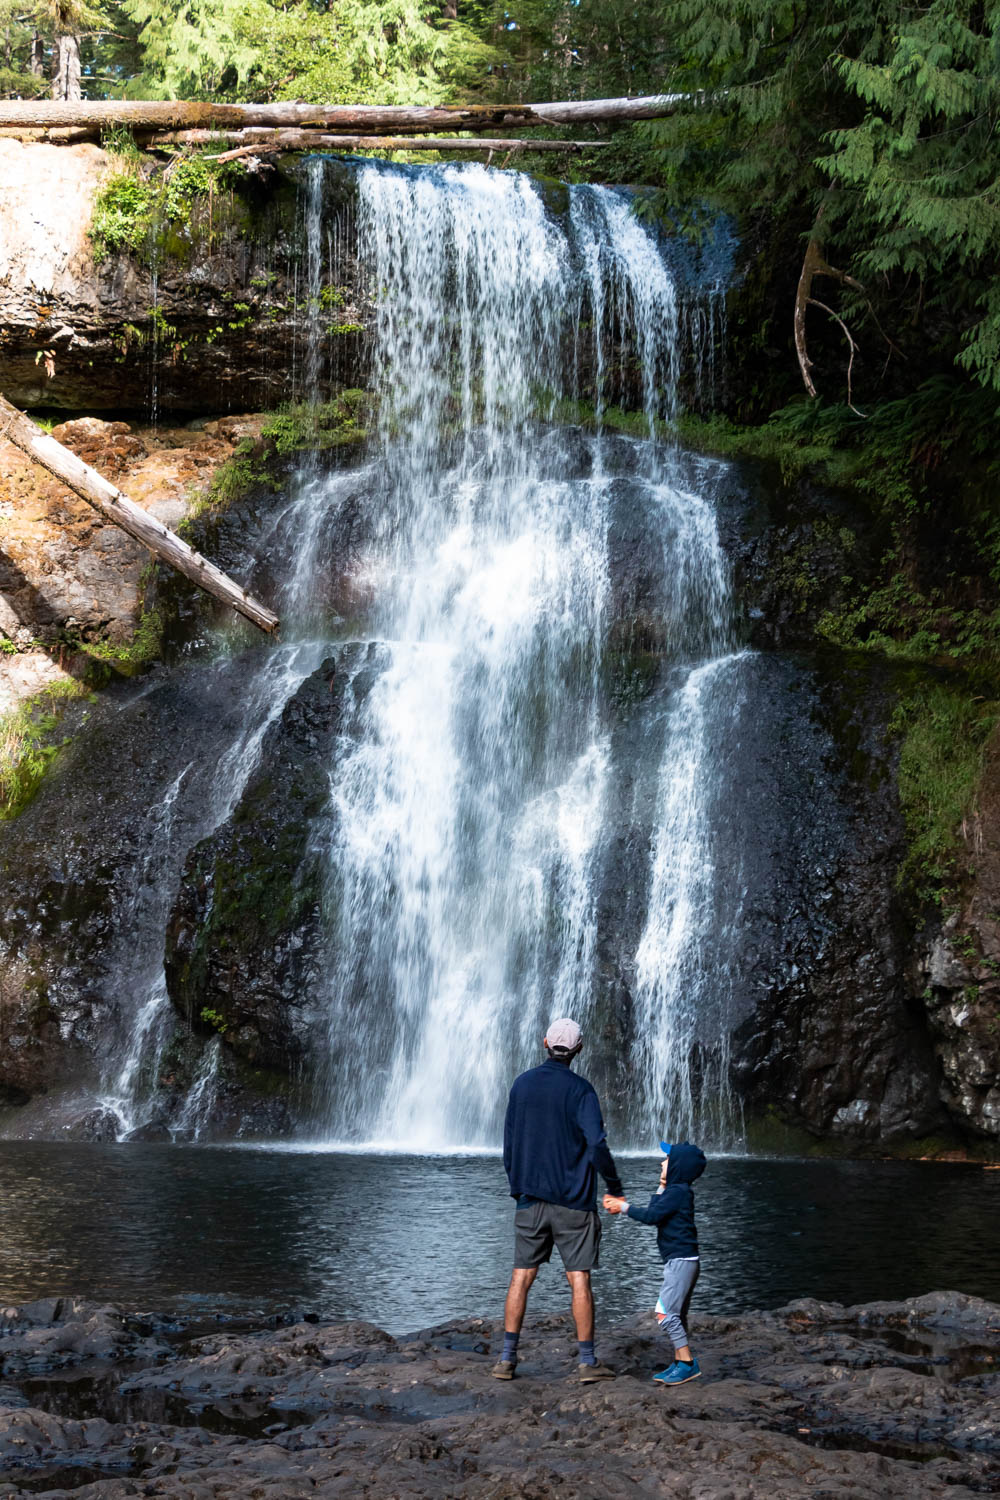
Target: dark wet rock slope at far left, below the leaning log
column 82, row 872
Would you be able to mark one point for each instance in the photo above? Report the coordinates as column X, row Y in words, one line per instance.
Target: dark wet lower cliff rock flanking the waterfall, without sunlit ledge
column 837, row 1033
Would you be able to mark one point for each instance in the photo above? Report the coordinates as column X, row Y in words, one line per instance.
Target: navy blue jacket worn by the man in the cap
column 554, row 1139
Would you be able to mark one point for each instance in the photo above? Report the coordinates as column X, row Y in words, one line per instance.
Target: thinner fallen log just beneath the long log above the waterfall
column 262, row 142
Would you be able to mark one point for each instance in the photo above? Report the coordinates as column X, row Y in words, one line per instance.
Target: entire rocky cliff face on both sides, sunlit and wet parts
column 851, row 1022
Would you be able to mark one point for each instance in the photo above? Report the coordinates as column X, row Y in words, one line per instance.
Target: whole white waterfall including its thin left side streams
column 476, row 787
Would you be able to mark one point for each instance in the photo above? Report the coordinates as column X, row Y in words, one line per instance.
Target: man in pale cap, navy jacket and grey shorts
column 554, row 1148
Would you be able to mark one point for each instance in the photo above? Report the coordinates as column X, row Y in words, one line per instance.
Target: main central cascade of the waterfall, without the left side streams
column 467, row 836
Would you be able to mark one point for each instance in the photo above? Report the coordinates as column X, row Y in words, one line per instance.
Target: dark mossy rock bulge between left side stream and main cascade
column 247, row 937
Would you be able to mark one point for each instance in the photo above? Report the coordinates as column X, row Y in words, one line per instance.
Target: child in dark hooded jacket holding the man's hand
column 672, row 1211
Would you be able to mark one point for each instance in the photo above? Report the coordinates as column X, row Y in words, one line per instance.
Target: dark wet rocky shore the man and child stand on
column 890, row 1399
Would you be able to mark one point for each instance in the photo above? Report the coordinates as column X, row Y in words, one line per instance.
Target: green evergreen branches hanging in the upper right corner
column 867, row 136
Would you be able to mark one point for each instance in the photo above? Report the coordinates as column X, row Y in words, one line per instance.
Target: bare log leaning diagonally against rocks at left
column 124, row 512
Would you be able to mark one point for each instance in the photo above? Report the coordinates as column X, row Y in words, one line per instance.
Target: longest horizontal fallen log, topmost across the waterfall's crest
column 167, row 115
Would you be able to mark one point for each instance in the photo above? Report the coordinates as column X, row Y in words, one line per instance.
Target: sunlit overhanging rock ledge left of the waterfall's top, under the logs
column 208, row 316
